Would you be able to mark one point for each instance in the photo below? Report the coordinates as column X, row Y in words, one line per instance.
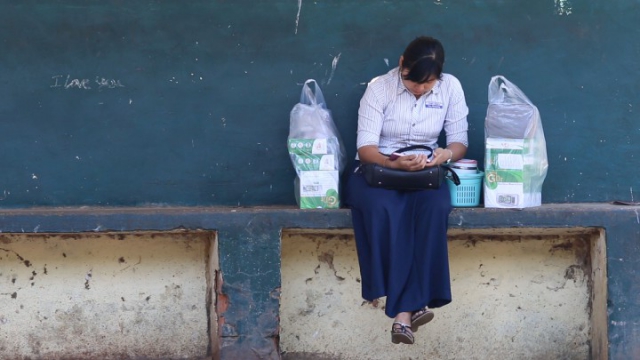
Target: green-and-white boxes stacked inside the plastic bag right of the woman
column 507, row 182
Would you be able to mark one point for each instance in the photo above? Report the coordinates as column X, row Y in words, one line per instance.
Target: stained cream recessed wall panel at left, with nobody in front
column 105, row 296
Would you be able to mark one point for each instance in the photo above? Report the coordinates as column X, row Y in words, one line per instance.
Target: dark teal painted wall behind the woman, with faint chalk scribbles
column 130, row 103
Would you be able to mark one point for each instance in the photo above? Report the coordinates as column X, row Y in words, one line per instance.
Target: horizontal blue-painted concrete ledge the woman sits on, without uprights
column 167, row 218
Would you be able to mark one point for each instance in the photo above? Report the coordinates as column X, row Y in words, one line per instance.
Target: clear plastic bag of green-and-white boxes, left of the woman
column 316, row 150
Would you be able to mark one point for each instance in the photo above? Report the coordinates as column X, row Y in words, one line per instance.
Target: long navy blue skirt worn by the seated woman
column 401, row 240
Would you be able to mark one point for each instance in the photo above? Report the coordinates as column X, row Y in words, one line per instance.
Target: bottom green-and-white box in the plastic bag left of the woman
column 318, row 189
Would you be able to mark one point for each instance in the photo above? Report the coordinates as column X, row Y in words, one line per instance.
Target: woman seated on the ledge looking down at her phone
column 401, row 236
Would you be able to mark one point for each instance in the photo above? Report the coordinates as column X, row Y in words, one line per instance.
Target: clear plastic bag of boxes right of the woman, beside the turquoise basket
column 516, row 152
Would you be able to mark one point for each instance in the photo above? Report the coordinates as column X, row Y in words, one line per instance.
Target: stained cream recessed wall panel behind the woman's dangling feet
column 519, row 296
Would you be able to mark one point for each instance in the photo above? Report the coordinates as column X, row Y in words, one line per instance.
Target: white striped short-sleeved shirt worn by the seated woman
column 391, row 117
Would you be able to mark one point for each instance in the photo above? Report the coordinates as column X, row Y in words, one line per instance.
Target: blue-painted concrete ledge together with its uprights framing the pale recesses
column 249, row 250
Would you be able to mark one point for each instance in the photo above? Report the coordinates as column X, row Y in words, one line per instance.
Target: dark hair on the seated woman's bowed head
column 423, row 58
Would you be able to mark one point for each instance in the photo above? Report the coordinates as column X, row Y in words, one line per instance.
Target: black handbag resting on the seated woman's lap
column 395, row 179
